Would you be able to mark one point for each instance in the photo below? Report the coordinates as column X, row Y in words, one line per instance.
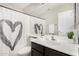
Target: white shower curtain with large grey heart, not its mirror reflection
column 13, row 31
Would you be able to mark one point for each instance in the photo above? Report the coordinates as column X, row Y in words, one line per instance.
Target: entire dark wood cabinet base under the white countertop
column 39, row 50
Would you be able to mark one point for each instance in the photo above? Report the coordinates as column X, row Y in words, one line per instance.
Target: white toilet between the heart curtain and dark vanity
column 26, row 51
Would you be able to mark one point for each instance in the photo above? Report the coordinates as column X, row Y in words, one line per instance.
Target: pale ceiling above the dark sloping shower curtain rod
column 42, row 10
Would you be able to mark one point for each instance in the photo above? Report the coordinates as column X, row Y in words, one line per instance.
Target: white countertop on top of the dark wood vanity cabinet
column 71, row 49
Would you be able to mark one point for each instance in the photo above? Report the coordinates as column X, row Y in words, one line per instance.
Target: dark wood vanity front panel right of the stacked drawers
column 52, row 52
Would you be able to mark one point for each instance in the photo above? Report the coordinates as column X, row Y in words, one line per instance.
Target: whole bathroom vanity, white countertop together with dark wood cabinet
column 42, row 47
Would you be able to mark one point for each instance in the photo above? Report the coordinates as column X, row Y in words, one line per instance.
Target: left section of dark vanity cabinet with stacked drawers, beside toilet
column 37, row 50
